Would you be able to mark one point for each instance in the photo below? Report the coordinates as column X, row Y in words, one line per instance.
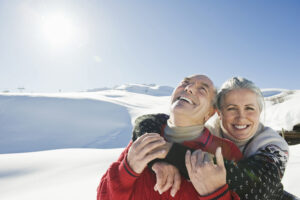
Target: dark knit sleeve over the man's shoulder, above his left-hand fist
column 150, row 123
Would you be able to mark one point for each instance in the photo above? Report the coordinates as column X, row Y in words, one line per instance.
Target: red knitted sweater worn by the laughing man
column 121, row 182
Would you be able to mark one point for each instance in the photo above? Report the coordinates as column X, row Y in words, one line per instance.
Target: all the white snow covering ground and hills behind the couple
column 58, row 145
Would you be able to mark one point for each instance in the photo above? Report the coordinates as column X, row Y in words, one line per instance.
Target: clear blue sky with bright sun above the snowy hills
column 51, row 45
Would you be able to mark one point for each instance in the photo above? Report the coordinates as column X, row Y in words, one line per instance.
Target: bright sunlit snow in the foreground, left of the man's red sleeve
column 56, row 174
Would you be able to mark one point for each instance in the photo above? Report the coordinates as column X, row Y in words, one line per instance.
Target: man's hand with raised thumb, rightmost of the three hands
column 206, row 176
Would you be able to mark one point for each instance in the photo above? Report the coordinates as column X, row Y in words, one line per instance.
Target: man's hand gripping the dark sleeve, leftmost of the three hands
column 144, row 149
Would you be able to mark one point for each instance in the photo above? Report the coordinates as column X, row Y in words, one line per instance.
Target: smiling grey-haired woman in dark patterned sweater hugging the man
column 257, row 176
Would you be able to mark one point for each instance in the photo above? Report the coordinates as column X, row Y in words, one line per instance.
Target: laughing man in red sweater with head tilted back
column 191, row 106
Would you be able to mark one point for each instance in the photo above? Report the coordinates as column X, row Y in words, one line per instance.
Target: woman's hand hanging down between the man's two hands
column 166, row 176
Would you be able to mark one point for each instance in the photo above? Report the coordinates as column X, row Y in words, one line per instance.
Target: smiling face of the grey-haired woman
column 240, row 113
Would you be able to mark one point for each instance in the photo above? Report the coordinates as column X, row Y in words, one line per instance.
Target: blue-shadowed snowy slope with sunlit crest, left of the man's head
column 75, row 120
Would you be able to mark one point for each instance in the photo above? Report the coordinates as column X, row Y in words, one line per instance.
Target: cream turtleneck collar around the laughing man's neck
column 181, row 134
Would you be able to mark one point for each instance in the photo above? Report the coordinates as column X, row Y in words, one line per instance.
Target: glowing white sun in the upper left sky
column 58, row 30
